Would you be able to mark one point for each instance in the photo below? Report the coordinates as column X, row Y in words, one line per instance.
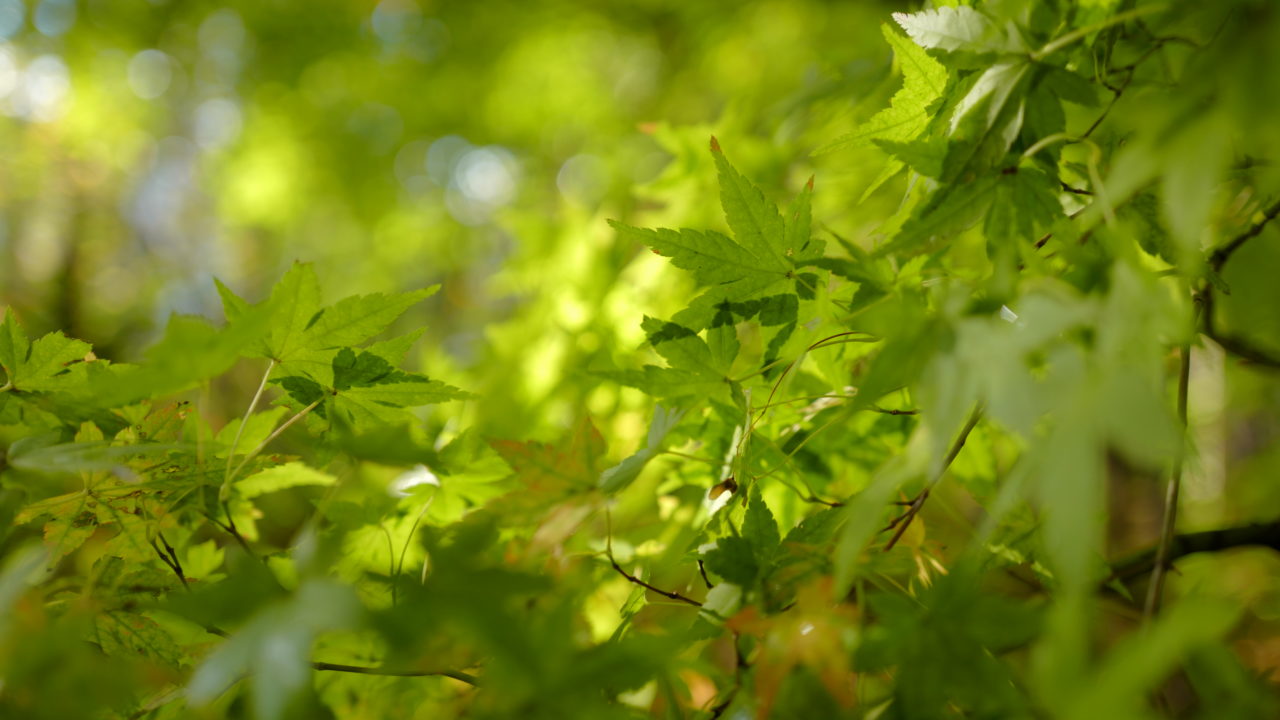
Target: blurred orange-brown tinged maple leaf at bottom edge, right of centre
column 813, row 634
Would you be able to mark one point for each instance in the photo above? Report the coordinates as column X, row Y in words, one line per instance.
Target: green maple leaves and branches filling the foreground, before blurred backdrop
column 875, row 481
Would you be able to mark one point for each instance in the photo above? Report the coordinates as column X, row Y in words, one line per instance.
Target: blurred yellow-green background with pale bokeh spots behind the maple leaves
column 157, row 145
